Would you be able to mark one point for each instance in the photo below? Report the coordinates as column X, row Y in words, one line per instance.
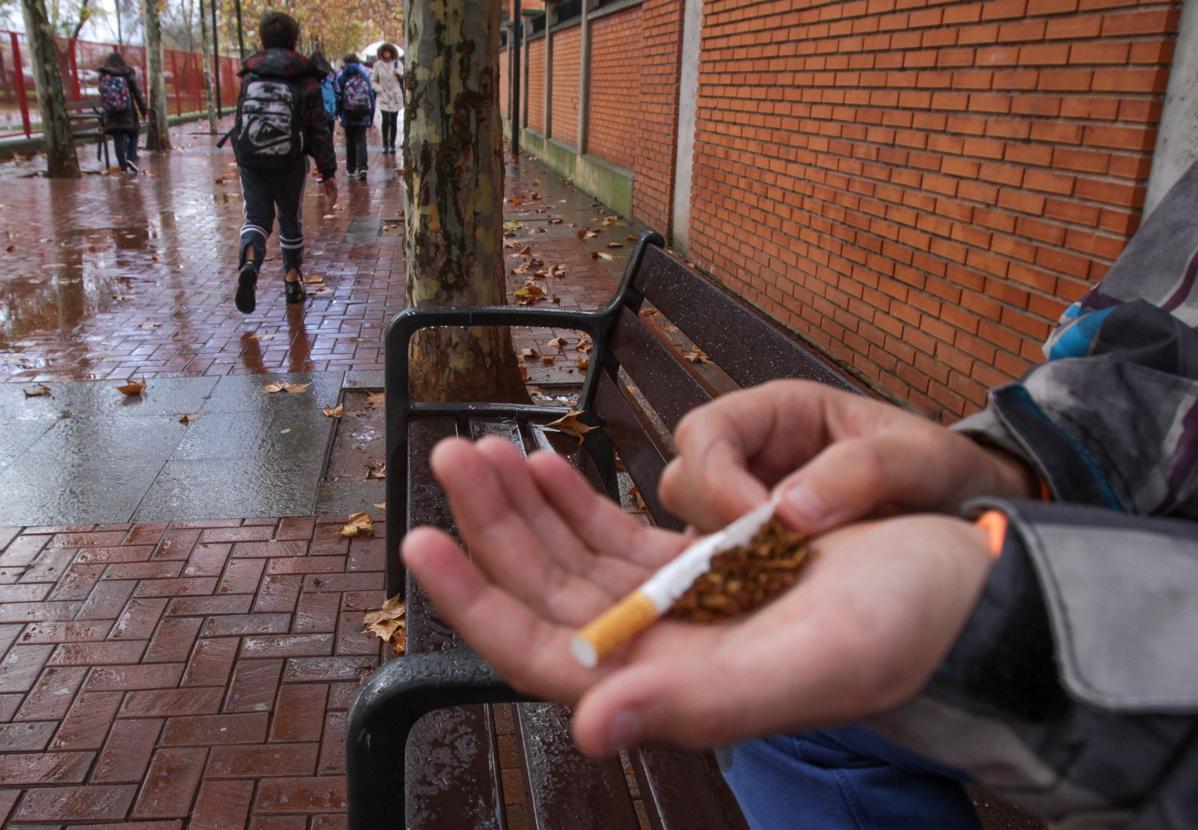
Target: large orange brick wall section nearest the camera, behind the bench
column 918, row 189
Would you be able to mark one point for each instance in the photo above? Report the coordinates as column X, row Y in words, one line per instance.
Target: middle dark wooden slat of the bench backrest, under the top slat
column 659, row 375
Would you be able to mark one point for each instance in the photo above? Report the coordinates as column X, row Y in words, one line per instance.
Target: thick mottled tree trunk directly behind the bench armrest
column 453, row 175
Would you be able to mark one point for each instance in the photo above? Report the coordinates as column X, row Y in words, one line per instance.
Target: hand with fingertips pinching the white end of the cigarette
column 834, row 456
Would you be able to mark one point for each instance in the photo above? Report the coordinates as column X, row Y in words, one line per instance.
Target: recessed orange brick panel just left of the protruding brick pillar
column 615, row 86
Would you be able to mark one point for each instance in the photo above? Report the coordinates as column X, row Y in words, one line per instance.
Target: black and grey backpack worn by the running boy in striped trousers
column 268, row 134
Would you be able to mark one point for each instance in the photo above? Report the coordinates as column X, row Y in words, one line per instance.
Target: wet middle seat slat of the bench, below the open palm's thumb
column 570, row 791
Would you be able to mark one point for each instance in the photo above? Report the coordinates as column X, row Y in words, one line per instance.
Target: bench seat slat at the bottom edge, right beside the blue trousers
column 685, row 790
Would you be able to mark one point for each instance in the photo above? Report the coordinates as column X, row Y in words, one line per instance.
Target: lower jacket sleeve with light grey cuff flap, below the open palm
column 1074, row 688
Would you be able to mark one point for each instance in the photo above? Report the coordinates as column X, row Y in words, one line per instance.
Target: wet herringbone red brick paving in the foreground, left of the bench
column 192, row 675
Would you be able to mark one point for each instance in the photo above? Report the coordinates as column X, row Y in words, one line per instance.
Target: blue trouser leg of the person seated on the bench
column 846, row 779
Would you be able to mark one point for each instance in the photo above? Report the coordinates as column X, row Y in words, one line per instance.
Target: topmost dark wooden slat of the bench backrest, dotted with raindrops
column 746, row 346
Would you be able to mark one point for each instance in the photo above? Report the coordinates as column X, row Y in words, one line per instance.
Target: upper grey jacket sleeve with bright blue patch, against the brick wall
column 1112, row 417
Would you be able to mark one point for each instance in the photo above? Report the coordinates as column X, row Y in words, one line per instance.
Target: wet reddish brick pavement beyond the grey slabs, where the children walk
column 110, row 277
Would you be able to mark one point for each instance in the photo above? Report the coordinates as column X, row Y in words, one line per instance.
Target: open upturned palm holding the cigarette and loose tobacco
column 875, row 613
